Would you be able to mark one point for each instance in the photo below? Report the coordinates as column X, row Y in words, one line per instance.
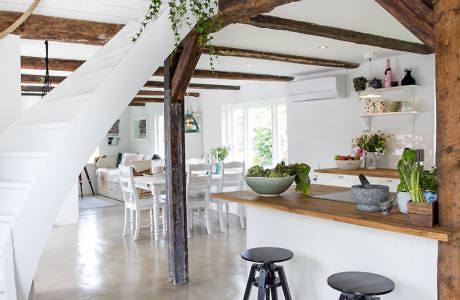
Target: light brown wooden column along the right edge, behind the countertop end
column 447, row 47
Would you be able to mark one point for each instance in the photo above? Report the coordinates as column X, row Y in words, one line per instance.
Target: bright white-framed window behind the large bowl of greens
column 257, row 133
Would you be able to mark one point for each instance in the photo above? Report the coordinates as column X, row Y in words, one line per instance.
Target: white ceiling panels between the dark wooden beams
column 359, row 15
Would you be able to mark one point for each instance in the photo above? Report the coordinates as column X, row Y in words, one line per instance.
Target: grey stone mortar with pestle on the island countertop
column 371, row 197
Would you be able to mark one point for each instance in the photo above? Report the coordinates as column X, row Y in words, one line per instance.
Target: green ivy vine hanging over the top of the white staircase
column 202, row 10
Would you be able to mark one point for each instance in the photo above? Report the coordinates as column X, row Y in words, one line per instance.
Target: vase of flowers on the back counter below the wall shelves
column 371, row 146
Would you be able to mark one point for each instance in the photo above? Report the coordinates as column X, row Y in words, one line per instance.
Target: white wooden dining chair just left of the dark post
column 133, row 204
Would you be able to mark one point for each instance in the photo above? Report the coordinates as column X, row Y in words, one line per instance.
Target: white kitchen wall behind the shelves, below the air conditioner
column 318, row 130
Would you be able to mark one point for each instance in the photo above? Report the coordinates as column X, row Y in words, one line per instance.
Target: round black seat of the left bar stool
column 267, row 255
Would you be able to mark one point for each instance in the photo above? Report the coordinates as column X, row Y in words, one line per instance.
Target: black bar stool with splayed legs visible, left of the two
column 267, row 282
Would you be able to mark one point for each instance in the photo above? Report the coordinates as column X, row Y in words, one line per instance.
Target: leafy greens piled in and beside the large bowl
column 299, row 170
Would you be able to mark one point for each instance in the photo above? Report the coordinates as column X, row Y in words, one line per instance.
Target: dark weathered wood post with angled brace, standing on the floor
column 178, row 71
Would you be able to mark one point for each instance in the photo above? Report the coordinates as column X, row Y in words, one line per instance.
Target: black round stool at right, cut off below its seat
column 360, row 285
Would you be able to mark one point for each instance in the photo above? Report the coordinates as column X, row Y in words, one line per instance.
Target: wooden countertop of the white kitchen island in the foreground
column 294, row 202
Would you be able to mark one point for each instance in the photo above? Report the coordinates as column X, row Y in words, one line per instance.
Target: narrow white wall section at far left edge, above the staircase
column 10, row 78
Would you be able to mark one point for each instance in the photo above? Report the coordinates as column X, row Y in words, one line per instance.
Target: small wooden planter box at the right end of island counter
column 422, row 214
